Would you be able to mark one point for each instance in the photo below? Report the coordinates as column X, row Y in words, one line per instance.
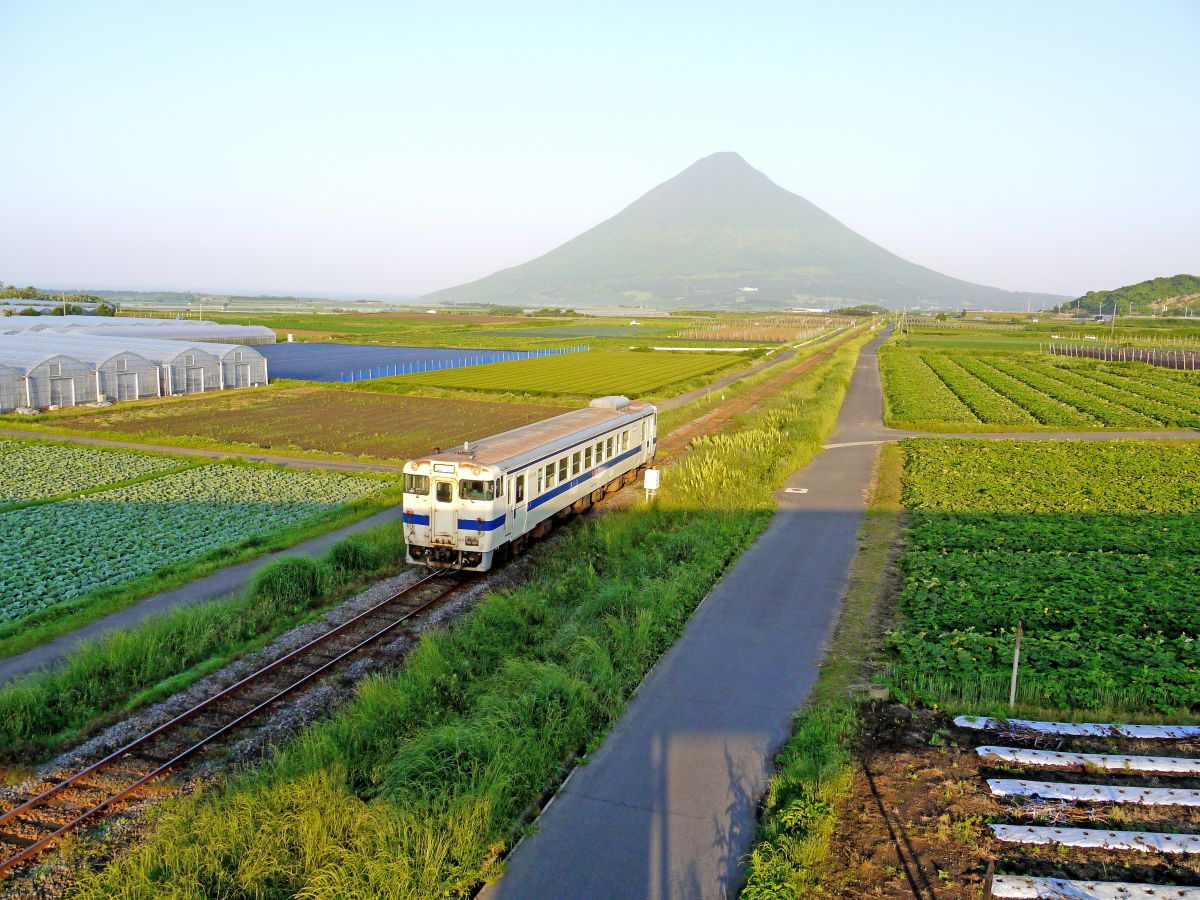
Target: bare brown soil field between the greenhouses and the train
column 385, row 427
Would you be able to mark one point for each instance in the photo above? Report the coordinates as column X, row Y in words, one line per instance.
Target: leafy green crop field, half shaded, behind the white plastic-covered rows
column 1094, row 548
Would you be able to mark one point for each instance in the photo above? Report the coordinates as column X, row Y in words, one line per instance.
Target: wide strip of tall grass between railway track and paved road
column 417, row 787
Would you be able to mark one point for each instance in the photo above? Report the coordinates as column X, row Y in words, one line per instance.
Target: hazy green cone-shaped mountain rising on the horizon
column 716, row 230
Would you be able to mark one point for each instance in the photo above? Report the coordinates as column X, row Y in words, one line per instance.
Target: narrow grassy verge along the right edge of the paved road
column 815, row 770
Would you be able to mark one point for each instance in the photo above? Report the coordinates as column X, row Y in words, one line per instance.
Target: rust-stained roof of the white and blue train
column 531, row 442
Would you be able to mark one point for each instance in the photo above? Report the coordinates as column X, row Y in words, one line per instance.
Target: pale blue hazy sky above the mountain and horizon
column 392, row 148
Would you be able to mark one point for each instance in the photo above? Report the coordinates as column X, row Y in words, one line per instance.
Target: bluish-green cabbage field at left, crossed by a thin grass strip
column 130, row 514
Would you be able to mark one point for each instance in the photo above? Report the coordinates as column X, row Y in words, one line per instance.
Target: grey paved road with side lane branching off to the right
column 668, row 806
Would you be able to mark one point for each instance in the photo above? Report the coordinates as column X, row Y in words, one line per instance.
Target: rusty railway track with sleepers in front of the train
column 109, row 784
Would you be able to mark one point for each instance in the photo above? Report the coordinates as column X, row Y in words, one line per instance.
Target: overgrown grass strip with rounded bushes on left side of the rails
column 125, row 670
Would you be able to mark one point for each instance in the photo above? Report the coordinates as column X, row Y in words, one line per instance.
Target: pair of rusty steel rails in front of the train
column 37, row 847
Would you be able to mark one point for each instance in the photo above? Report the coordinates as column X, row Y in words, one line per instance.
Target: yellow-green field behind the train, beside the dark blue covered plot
column 581, row 374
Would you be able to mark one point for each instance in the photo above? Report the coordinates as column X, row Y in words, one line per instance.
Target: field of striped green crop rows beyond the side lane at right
column 1010, row 391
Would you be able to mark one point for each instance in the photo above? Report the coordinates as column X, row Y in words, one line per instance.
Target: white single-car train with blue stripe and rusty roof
column 465, row 507
